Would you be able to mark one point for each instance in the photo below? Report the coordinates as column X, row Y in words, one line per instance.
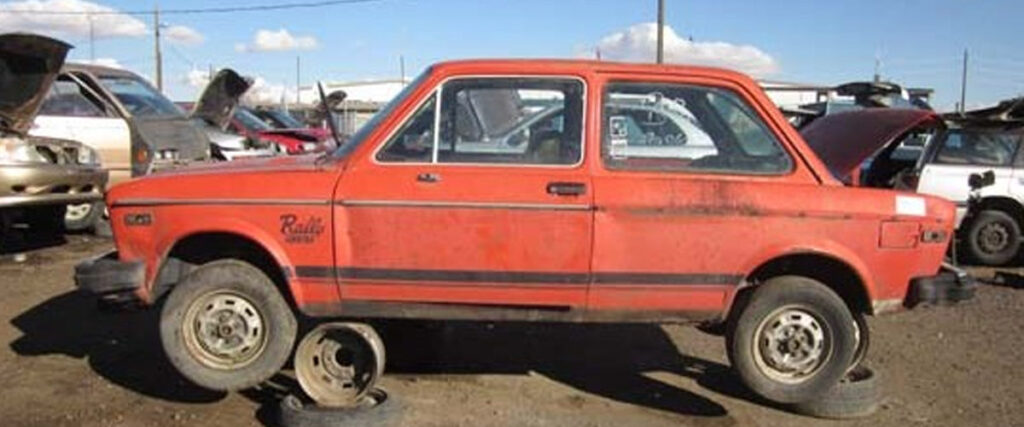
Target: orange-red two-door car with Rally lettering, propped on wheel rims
column 402, row 222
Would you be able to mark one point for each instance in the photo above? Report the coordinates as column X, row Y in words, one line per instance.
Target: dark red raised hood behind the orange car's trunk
column 844, row 141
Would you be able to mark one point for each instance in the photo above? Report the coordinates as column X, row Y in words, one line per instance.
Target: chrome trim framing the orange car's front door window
column 437, row 91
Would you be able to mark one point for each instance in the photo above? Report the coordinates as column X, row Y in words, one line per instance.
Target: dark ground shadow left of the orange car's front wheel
column 123, row 348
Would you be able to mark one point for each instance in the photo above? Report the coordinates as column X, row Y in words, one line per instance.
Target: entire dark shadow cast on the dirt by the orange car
column 609, row 361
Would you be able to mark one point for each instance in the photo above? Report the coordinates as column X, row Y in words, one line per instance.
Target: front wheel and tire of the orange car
column 232, row 285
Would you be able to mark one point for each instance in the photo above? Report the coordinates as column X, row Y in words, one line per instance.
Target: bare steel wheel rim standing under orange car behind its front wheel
column 337, row 365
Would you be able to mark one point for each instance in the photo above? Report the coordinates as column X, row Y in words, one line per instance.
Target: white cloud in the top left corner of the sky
column 69, row 25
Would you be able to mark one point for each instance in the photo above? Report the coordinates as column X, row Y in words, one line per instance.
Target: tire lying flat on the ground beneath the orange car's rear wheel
column 859, row 395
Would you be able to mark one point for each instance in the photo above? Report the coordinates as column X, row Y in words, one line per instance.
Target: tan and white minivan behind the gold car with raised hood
column 135, row 127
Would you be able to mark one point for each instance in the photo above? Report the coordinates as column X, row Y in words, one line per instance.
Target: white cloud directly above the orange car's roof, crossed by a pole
column 639, row 42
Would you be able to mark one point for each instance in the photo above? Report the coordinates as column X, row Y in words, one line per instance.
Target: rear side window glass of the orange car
column 681, row 127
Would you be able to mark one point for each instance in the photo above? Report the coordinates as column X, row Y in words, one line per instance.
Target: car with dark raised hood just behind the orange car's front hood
column 217, row 111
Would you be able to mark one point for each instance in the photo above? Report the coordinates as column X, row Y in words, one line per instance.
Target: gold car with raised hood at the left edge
column 39, row 177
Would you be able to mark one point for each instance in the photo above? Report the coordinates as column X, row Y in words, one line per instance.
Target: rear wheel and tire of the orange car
column 814, row 306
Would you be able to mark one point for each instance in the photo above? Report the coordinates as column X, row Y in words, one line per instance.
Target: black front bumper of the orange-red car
column 113, row 281
